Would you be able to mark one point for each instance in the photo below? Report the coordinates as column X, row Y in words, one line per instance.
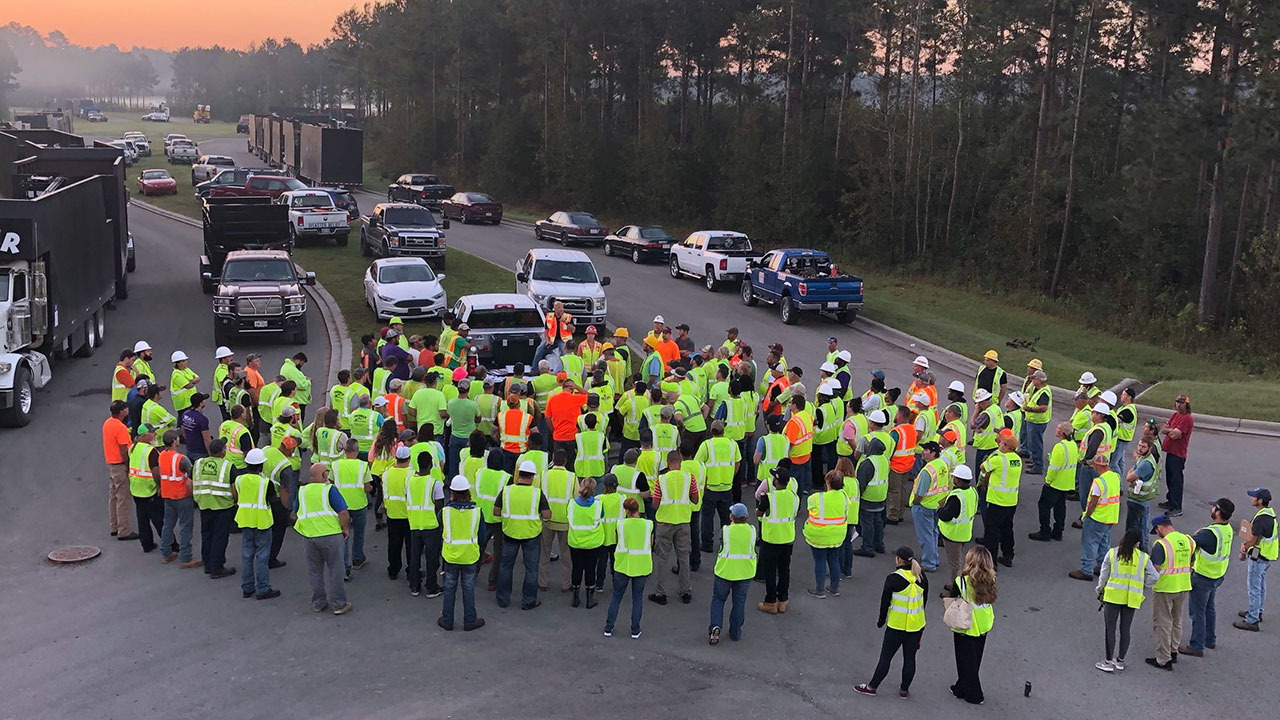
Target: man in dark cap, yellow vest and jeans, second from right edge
column 1209, row 568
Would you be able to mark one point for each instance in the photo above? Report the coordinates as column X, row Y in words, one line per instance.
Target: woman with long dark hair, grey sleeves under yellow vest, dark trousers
column 1126, row 575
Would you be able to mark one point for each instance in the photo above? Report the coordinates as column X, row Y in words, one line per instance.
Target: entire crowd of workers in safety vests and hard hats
column 644, row 459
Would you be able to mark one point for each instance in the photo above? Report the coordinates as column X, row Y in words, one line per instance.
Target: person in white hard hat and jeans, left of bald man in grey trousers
column 255, row 495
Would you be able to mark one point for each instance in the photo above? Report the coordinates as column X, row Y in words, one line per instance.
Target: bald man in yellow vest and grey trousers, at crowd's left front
column 324, row 525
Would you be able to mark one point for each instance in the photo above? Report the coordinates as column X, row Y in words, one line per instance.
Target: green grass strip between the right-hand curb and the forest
column 971, row 323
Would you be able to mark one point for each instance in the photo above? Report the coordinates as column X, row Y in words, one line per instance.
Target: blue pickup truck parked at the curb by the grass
column 802, row 281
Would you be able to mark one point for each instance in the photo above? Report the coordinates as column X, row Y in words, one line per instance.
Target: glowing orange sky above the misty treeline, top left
column 172, row 24
